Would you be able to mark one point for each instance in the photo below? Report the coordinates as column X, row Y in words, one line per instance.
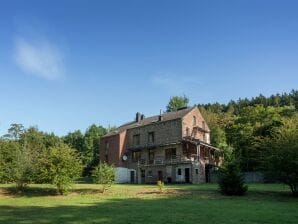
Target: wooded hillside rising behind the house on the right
column 244, row 127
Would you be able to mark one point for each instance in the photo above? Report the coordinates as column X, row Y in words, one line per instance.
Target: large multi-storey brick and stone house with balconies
column 172, row 147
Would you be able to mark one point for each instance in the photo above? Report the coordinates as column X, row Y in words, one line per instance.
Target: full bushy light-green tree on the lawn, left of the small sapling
column 60, row 167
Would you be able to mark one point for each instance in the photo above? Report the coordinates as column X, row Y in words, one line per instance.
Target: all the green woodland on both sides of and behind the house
column 260, row 133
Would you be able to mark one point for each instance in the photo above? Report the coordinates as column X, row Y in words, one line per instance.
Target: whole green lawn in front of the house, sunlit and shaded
column 144, row 204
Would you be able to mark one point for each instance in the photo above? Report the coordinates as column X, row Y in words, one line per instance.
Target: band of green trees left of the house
column 32, row 156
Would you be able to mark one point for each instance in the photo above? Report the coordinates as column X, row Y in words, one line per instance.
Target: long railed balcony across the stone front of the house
column 167, row 161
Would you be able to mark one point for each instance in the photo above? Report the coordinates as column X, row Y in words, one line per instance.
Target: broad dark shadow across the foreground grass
column 159, row 210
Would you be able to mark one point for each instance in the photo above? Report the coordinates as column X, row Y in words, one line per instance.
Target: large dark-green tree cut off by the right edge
column 281, row 159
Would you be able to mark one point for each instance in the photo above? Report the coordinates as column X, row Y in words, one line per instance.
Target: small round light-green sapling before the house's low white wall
column 104, row 174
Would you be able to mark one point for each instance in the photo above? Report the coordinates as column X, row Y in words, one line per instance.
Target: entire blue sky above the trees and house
column 67, row 64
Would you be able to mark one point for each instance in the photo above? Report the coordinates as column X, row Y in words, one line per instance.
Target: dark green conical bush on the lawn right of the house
column 231, row 181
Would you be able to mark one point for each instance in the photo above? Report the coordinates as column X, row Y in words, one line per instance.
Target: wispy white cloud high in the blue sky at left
column 39, row 58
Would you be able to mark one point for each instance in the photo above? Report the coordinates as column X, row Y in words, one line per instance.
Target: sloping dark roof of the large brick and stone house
column 149, row 120
